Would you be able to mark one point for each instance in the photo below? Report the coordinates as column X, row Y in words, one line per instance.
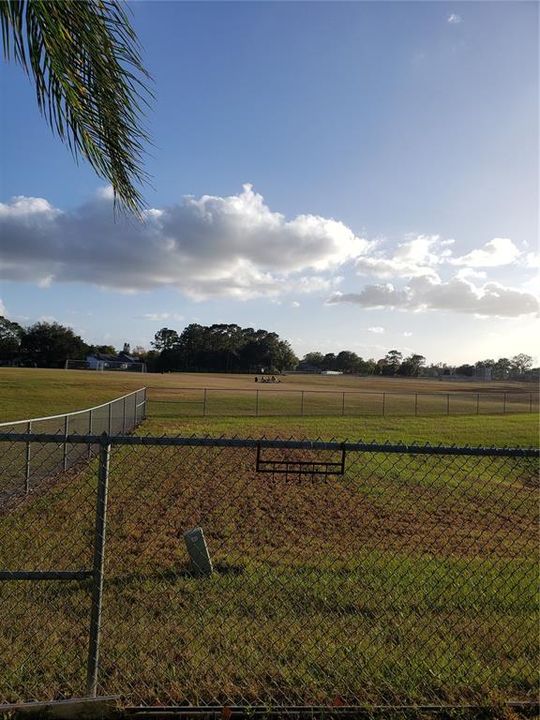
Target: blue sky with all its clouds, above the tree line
column 355, row 176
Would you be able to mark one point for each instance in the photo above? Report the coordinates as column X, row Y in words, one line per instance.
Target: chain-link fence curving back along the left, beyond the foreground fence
column 31, row 462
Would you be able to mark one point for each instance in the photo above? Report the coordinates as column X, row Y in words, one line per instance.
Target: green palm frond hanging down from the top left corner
column 91, row 86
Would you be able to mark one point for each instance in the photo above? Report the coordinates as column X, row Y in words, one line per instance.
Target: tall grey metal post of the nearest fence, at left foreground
column 98, row 566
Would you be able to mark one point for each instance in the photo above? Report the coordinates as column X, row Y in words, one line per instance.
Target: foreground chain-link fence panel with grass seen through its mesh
column 341, row 574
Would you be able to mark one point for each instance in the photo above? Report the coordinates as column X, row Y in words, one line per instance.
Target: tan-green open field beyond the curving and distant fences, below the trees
column 29, row 393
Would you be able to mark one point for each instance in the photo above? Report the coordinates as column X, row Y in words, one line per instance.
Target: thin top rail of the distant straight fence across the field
column 336, row 391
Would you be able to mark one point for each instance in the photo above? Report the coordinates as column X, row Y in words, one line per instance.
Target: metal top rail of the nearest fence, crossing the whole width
column 173, row 441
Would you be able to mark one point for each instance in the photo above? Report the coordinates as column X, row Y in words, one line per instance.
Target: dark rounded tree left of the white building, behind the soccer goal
column 50, row 344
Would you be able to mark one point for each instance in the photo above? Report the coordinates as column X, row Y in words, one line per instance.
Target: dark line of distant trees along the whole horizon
column 231, row 348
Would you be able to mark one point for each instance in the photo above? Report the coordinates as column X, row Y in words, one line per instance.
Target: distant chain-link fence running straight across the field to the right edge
column 276, row 401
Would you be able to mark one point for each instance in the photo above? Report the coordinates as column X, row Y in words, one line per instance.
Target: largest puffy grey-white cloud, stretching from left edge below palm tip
column 209, row 246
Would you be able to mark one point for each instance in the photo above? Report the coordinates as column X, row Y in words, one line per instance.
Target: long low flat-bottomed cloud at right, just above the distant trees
column 456, row 295
